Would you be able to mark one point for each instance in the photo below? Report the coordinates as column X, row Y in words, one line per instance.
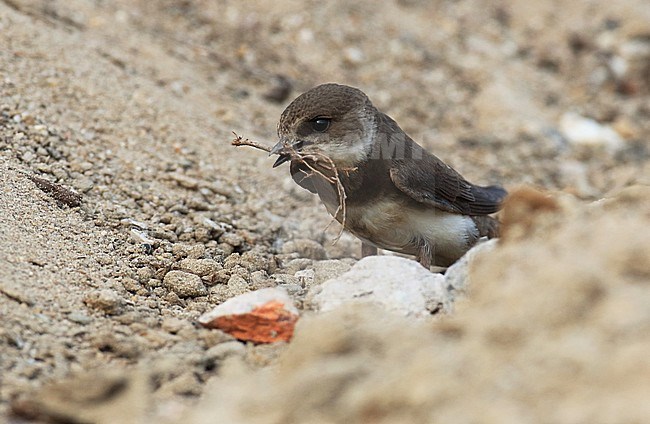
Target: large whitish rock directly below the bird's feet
column 397, row 284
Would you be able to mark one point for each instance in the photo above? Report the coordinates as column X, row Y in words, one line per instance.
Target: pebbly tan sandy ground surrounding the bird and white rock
column 132, row 104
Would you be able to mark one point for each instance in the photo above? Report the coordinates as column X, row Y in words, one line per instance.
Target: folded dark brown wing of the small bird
column 428, row 180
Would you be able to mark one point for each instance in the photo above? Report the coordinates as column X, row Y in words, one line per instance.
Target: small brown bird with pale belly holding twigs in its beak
column 396, row 195
